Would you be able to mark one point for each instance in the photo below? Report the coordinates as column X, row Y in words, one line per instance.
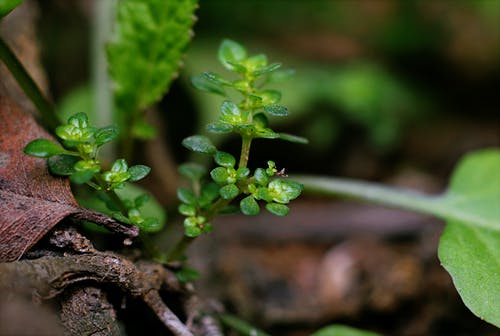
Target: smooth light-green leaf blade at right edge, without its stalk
column 471, row 253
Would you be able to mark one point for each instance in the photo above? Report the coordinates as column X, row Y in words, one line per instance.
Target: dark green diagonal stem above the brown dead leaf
column 29, row 86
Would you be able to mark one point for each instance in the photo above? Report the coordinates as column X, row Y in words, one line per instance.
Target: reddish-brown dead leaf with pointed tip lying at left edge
column 31, row 200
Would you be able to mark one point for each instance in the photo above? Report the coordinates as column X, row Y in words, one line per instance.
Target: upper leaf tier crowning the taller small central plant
column 250, row 116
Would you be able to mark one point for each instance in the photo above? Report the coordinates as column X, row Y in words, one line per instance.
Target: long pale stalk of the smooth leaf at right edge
column 371, row 192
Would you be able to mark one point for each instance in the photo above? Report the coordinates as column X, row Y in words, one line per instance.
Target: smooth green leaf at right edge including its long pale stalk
column 470, row 246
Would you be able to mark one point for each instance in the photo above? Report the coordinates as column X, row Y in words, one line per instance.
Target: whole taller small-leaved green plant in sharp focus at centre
column 232, row 180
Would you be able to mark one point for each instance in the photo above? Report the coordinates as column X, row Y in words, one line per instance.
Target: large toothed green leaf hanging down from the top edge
column 150, row 40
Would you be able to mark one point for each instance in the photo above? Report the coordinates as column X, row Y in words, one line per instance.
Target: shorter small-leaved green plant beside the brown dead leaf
column 79, row 160
